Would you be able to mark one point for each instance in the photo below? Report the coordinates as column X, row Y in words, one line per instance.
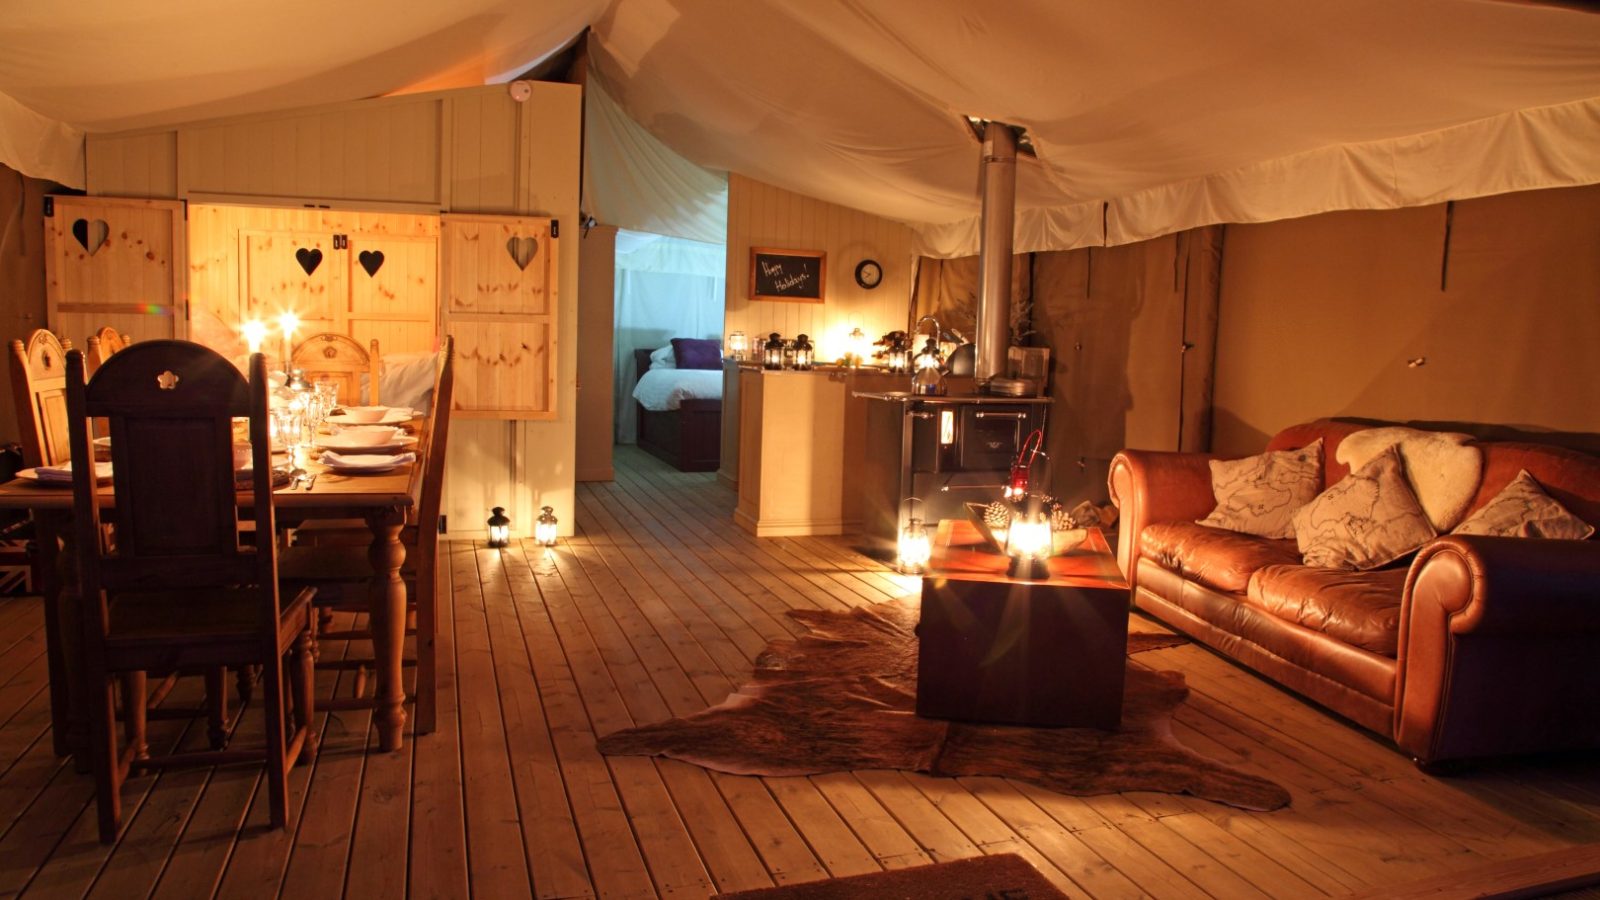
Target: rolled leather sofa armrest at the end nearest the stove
column 1154, row 486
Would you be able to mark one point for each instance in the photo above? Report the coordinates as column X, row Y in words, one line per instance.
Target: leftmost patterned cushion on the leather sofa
column 1260, row 496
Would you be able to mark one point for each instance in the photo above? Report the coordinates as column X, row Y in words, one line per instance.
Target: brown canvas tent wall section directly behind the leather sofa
column 1345, row 315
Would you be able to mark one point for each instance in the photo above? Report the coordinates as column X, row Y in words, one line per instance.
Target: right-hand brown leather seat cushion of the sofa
column 1358, row 608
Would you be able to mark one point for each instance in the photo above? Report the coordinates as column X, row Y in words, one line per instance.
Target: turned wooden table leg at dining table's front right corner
column 386, row 614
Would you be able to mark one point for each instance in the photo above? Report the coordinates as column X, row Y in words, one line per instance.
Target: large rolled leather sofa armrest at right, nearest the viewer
column 1497, row 648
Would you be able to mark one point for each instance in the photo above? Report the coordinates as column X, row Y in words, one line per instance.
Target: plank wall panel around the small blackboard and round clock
column 761, row 215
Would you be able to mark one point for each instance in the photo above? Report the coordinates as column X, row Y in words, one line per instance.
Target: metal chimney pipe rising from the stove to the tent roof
column 994, row 251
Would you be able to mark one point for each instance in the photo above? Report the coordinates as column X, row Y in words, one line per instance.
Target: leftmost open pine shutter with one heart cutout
column 116, row 263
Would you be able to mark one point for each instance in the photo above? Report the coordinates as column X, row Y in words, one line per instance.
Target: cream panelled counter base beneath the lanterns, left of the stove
column 791, row 452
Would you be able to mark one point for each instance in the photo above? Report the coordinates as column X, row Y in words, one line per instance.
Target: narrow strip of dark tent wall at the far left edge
column 22, row 275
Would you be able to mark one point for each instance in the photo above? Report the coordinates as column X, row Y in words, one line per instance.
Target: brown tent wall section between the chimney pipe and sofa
column 1132, row 332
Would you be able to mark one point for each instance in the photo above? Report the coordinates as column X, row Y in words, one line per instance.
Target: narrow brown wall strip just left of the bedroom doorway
column 596, row 335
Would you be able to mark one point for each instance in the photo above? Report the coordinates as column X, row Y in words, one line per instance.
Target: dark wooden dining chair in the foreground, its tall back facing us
column 180, row 592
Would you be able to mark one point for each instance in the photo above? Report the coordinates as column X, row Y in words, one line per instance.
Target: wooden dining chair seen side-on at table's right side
column 340, row 568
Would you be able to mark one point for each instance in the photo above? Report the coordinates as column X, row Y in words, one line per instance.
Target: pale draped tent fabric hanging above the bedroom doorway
column 638, row 183
